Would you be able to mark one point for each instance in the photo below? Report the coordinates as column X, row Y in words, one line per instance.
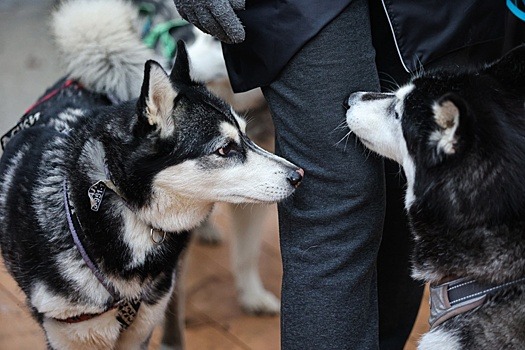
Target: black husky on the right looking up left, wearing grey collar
column 461, row 141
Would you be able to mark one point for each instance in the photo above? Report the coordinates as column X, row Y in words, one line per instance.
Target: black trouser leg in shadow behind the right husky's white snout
column 399, row 295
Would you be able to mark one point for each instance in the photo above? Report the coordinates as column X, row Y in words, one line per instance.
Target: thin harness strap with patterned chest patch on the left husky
column 127, row 309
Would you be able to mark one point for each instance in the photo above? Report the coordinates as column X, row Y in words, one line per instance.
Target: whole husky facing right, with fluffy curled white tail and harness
column 97, row 196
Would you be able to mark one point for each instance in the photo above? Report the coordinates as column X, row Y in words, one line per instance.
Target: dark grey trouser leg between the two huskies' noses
column 330, row 230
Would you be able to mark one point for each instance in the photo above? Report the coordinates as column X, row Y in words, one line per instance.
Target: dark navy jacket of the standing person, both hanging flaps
column 423, row 30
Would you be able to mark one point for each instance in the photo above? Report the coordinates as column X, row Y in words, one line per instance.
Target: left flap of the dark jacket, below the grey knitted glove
column 275, row 31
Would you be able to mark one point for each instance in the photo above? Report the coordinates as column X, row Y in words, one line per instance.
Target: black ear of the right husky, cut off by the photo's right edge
column 510, row 69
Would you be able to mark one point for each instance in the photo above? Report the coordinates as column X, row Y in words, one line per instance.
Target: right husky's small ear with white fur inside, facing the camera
column 448, row 110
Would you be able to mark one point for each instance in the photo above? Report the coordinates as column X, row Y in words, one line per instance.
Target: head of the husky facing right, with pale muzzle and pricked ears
column 188, row 148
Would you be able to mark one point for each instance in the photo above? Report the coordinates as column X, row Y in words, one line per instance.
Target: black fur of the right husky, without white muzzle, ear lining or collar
column 469, row 210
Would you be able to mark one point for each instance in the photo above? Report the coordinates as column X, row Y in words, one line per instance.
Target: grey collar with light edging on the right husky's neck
column 459, row 296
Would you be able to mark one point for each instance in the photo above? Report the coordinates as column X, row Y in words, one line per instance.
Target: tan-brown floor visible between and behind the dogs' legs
column 214, row 320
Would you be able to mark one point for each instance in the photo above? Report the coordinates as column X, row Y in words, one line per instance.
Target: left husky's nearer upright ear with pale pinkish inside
column 155, row 104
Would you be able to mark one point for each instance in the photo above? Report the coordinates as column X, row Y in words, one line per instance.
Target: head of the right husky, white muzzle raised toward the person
column 441, row 126
